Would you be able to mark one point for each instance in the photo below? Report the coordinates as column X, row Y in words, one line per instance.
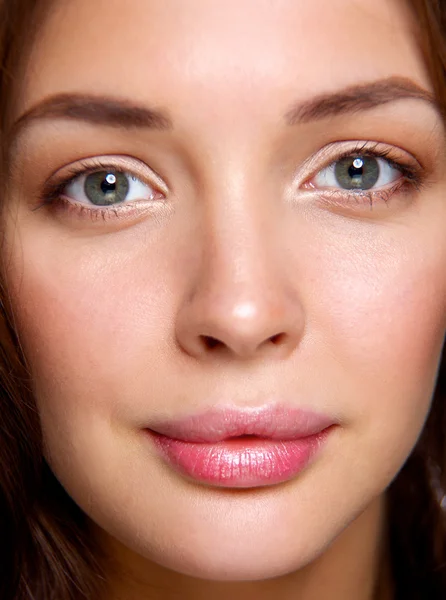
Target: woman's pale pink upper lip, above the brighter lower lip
column 276, row 422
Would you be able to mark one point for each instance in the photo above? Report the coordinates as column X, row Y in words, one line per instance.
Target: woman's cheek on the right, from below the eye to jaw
column 381, row 326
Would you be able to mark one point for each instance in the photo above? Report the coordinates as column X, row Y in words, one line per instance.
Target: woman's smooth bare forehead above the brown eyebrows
column 201, row 54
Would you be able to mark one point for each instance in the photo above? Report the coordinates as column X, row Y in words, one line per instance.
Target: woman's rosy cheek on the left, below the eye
column 93, row 321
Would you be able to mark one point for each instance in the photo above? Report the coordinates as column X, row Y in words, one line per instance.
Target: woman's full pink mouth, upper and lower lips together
column 242, row 448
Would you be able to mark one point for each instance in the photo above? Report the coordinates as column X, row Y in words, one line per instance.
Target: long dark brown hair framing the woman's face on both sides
column 46, row 551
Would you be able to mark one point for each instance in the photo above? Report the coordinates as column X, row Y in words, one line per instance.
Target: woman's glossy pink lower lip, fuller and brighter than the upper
column 241, row 462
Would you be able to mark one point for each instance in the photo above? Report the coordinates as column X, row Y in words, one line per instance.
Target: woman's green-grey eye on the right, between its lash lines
column 357, row 172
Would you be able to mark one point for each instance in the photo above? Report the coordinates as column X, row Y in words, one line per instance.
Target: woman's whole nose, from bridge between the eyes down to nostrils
column 239, row 301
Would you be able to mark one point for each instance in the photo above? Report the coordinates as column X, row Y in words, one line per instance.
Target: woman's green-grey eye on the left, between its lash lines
column 107, row 188
